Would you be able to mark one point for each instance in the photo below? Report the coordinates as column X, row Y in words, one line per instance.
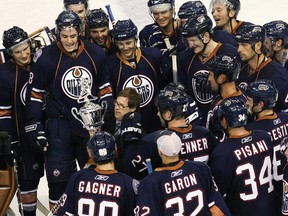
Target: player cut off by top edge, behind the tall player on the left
column 81, row 8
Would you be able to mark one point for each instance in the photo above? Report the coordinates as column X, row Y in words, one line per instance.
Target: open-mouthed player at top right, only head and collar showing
column 225, row 13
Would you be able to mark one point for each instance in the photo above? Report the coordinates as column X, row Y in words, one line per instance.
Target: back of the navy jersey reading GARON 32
column 185, row 188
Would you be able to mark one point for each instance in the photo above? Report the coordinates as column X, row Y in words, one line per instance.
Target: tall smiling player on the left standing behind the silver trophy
column 60, row 71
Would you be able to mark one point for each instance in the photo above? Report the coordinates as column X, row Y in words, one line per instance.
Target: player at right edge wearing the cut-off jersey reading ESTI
column 262, row 97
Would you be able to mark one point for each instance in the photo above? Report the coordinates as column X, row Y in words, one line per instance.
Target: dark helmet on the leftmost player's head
column 14, row 36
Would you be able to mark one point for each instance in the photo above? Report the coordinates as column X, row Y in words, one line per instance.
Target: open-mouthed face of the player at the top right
column 220, row 14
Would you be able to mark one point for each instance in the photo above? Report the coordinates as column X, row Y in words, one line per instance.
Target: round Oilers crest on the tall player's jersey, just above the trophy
column 71, row 81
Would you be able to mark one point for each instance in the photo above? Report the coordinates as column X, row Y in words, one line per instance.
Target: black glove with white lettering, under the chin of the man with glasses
column 131, row 127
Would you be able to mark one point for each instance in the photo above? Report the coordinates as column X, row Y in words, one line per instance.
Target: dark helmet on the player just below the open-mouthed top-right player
column 251, row 33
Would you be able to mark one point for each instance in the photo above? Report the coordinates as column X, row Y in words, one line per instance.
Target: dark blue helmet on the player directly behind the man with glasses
column 124, row 29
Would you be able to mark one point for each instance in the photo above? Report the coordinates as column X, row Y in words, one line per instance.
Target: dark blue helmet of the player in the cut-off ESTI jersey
column 263, row 90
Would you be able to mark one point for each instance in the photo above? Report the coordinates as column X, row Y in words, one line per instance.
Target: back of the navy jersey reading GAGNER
column 97, row 192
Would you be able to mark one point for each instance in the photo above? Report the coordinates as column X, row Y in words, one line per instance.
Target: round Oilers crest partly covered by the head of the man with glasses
column 143, row 86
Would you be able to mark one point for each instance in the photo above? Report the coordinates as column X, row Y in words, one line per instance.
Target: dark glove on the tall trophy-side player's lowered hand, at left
column 36, row 136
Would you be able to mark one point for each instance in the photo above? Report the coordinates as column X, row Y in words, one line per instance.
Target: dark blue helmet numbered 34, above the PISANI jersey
column 235, row 112
